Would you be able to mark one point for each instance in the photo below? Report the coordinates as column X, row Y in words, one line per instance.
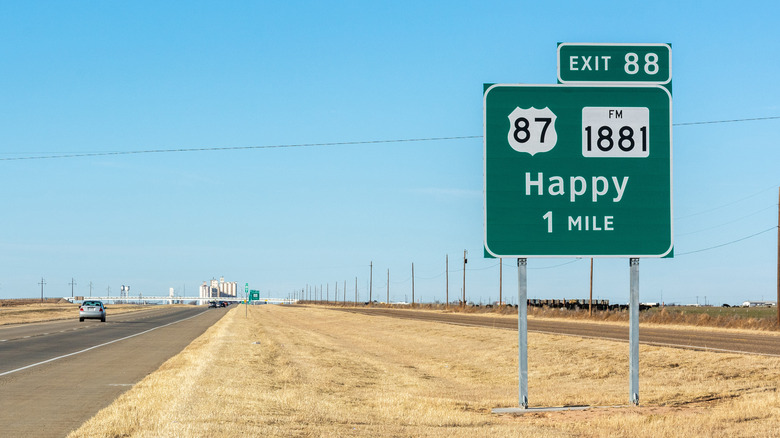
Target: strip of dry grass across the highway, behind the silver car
column 52, row 310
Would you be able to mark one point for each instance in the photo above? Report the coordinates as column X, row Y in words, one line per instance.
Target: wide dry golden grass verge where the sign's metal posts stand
column 309, row 371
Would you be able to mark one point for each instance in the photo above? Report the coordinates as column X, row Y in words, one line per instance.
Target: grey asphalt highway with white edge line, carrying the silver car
column 56, row 375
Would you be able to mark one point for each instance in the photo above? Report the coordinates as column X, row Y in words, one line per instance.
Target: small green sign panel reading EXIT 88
column 623, row 63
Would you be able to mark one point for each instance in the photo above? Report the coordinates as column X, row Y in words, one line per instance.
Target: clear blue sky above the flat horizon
column 86, row 77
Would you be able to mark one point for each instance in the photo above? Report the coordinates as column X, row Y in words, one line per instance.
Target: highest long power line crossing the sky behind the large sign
column 301, row 145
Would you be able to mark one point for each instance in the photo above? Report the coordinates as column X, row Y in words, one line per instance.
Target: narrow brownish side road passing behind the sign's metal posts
column 711, row 340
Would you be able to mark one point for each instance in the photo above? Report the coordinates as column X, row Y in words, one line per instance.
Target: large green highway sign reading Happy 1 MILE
column 576, row 170
